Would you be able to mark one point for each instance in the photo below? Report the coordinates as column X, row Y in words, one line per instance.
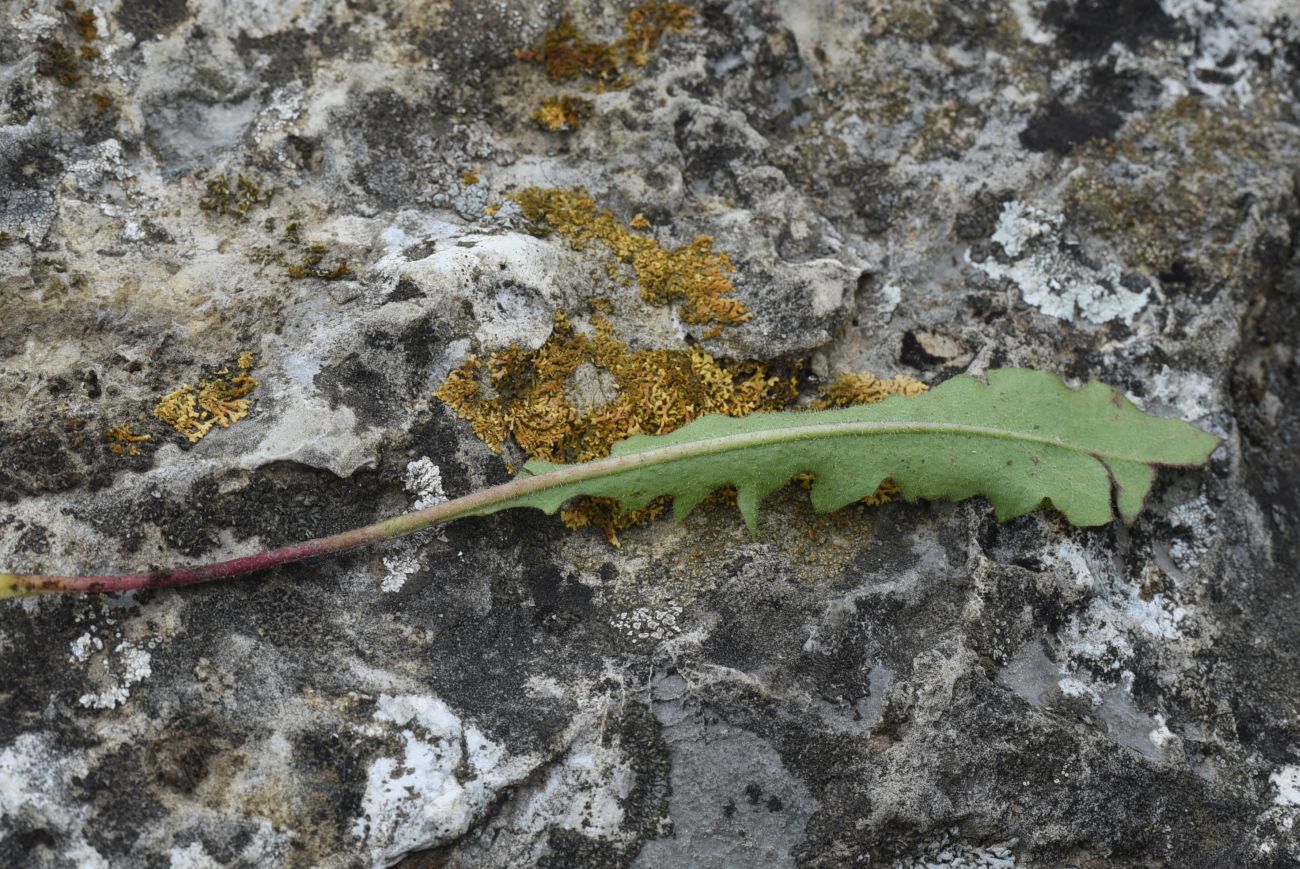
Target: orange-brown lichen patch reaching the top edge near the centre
column 566, row 54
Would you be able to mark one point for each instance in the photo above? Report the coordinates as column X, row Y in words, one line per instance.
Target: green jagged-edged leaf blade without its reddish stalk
column 1020, row 440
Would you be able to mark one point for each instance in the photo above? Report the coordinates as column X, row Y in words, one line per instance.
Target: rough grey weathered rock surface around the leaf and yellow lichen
column 1102, row 191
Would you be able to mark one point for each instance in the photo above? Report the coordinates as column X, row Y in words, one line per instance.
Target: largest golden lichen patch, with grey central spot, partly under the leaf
column 539, row 399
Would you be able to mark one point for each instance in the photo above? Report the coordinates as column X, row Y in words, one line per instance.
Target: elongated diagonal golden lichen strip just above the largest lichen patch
column 695, row 275
